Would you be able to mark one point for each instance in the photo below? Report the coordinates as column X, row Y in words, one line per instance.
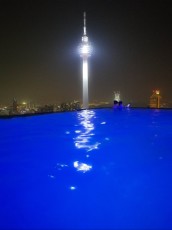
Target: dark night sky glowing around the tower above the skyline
column 132, row 42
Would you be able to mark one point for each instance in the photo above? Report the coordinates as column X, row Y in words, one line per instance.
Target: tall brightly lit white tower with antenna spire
column 85, row 52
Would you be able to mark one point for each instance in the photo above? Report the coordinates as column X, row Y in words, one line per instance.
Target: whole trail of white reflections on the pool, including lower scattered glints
column 84, row 139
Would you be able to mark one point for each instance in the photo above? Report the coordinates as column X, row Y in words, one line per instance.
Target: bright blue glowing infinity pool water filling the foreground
column 95, row 169
